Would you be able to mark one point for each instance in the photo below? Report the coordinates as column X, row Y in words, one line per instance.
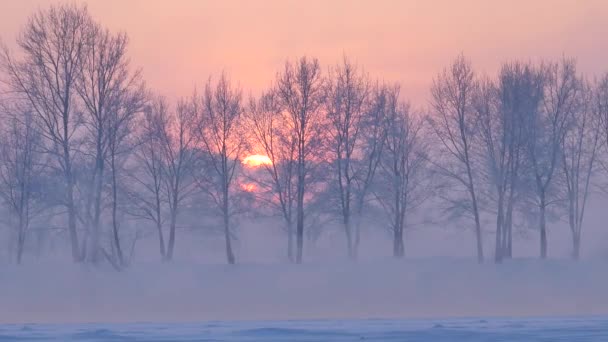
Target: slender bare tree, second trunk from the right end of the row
column 546, row 131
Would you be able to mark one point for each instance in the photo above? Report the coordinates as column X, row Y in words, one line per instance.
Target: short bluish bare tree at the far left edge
column 21, row 166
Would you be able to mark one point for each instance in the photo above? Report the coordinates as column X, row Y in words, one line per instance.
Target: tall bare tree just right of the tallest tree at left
column 111, row 94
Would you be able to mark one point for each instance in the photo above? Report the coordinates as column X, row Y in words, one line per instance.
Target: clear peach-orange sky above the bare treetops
column 180, row 43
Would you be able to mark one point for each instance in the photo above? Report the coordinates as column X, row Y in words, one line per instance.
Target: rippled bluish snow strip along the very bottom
column 437, row 330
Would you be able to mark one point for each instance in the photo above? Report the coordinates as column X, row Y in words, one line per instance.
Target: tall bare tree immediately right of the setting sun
column 300, row 90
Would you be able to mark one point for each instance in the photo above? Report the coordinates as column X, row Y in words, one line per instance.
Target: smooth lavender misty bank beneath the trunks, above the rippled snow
column 440, row 287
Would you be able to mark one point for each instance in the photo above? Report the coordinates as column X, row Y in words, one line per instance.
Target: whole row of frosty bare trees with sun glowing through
column 88, row 152
